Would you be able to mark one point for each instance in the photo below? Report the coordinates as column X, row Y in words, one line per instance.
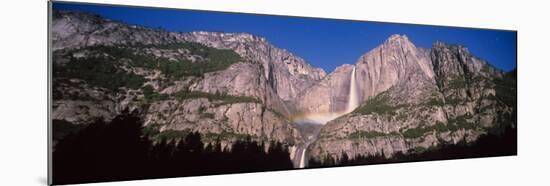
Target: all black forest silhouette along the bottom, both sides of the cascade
column 119, row 151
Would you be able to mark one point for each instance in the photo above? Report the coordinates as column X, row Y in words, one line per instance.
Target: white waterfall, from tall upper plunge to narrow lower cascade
column 353, row 103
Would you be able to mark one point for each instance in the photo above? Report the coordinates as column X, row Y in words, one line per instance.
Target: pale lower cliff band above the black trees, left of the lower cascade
column 226, row 122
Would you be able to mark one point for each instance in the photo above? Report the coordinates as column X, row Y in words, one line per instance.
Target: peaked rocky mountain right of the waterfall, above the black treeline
column 415, row 99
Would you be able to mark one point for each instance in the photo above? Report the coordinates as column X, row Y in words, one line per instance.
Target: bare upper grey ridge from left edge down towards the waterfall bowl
column 287, row 74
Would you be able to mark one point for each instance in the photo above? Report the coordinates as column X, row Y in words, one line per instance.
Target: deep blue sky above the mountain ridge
column 321, row 42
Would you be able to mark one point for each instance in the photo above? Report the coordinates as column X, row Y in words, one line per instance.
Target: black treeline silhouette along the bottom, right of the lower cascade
column 501, row 143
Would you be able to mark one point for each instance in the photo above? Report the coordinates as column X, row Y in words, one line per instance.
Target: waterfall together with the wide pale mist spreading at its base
column 310, row 124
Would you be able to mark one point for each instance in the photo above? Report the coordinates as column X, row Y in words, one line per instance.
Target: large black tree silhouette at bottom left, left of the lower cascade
column 119, row 151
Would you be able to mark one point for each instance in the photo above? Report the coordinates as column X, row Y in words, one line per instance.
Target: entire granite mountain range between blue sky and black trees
column 229, row 85
